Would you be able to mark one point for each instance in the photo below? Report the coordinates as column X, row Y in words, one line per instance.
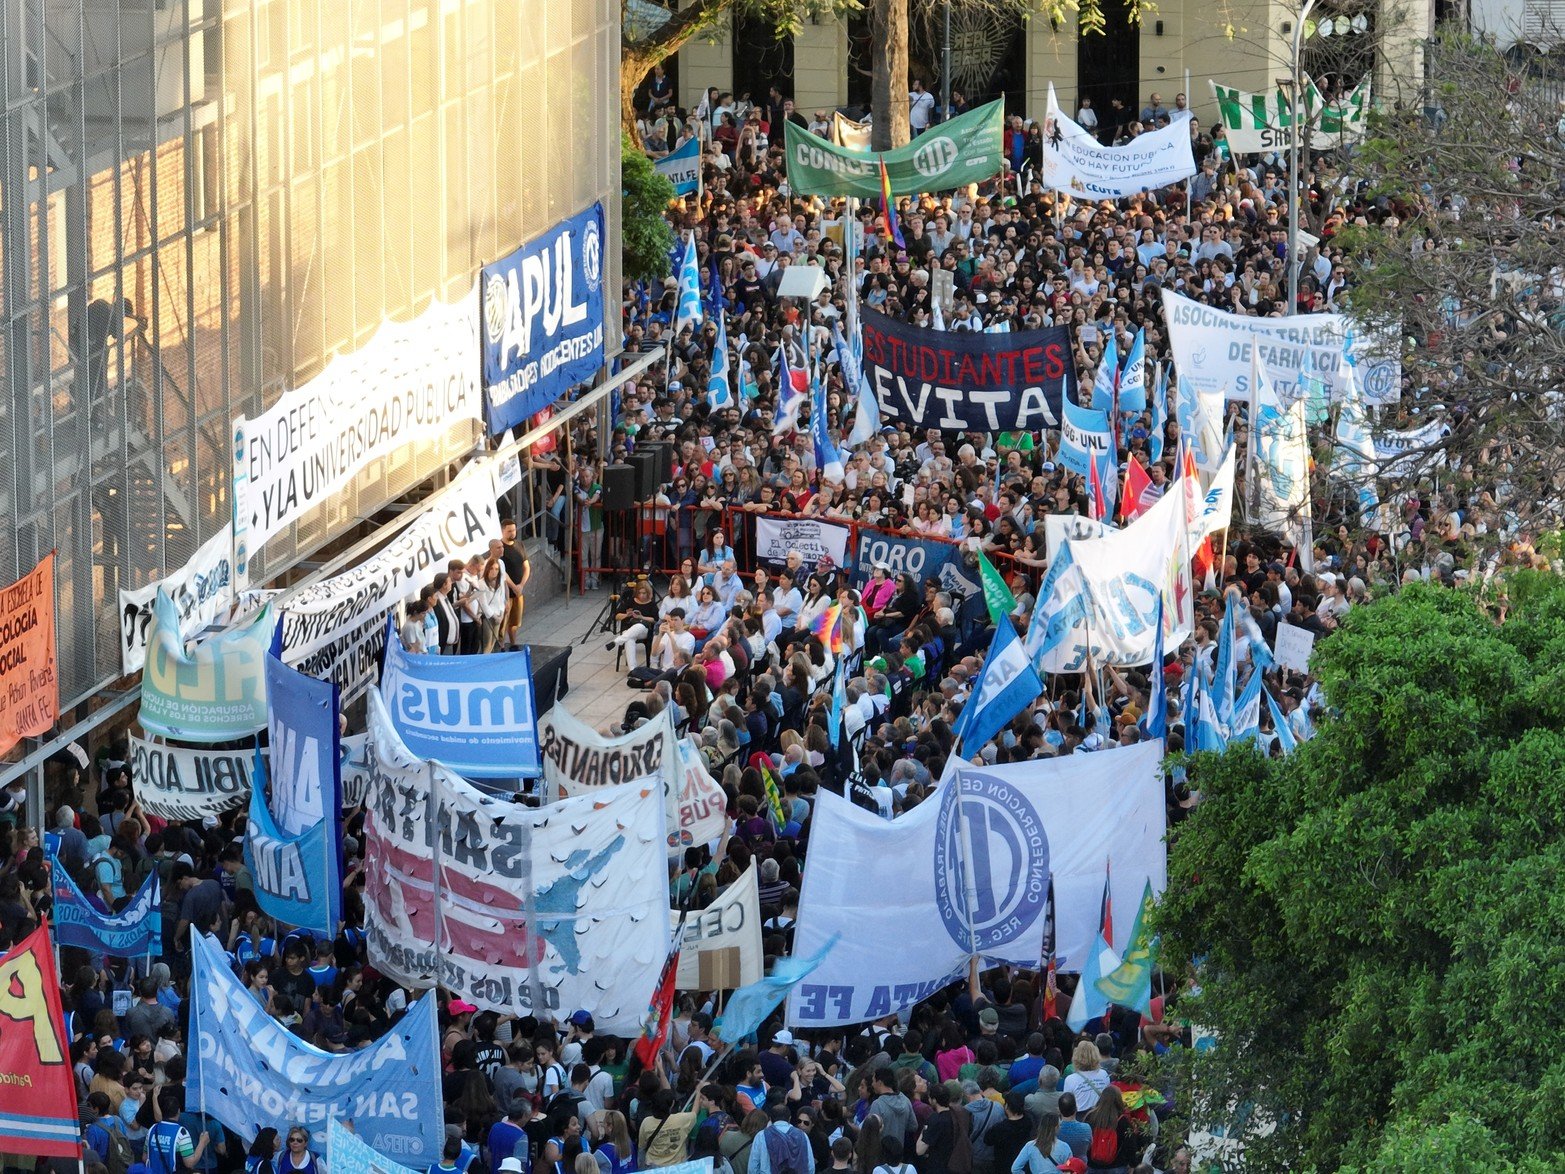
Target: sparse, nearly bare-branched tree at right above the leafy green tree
column 1459, row 256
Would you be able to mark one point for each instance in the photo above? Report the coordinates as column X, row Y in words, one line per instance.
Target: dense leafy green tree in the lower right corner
column 1380, row 918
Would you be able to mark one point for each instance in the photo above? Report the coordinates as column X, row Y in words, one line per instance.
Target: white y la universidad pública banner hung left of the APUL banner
column 416, row 383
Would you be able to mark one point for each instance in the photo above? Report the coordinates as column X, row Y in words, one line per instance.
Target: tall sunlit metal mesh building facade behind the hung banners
column 203, row 201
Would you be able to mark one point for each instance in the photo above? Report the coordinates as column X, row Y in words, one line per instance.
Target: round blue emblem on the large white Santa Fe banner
column 991, row 865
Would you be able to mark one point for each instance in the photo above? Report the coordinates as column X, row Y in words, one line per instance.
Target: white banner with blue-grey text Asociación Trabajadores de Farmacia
column 1212, row 351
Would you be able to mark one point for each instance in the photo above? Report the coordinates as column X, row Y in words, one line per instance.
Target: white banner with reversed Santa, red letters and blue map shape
column 542, row 910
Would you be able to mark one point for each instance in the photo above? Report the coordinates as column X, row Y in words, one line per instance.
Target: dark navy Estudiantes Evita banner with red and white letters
column 959, row 381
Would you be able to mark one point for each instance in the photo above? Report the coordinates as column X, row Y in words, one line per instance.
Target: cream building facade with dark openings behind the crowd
column 1247, row 45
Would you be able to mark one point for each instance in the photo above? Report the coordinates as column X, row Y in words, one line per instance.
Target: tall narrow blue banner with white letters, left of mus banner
column 293, row 838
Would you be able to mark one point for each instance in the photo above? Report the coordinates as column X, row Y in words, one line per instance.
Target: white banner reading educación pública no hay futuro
column 1078, row 164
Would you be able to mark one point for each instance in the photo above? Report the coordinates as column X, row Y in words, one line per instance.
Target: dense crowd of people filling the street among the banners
column 982, row 1079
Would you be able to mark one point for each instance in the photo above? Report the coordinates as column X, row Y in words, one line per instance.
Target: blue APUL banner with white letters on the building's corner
column 544, row 320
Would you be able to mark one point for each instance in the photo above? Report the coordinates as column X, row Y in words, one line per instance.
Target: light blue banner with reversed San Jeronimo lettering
column 250, row 1071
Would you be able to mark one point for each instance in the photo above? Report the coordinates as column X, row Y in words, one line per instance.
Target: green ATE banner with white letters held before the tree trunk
column 968, row 149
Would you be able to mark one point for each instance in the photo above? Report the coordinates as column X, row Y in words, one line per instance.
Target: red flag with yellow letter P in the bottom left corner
column 38, row 1097
